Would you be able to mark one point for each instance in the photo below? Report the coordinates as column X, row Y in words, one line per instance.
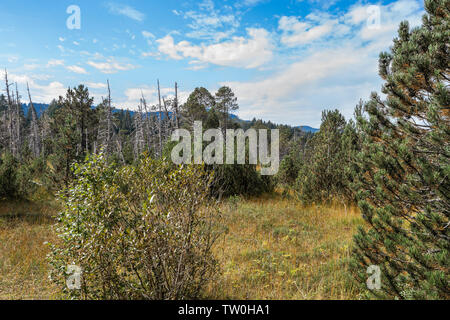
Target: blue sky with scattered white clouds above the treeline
column 286, row 60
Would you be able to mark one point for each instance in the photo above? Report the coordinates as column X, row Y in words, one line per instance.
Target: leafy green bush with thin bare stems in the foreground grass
column 139, row 232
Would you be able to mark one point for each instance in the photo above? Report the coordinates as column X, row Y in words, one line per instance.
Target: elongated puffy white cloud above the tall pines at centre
column 250, row 52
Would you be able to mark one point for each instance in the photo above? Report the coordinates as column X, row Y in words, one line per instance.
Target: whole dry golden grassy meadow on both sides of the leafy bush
column 273, row 249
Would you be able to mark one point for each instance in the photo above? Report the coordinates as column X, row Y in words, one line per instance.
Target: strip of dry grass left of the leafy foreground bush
column 24, row 227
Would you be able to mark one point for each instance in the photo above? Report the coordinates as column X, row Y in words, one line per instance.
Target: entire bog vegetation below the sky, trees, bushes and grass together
column 373, row 190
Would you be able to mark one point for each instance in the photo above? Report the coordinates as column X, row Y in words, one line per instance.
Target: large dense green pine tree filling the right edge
column 404, row 185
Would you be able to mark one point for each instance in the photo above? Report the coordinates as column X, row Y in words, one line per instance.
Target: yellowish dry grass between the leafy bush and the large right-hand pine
column 277, row 249
